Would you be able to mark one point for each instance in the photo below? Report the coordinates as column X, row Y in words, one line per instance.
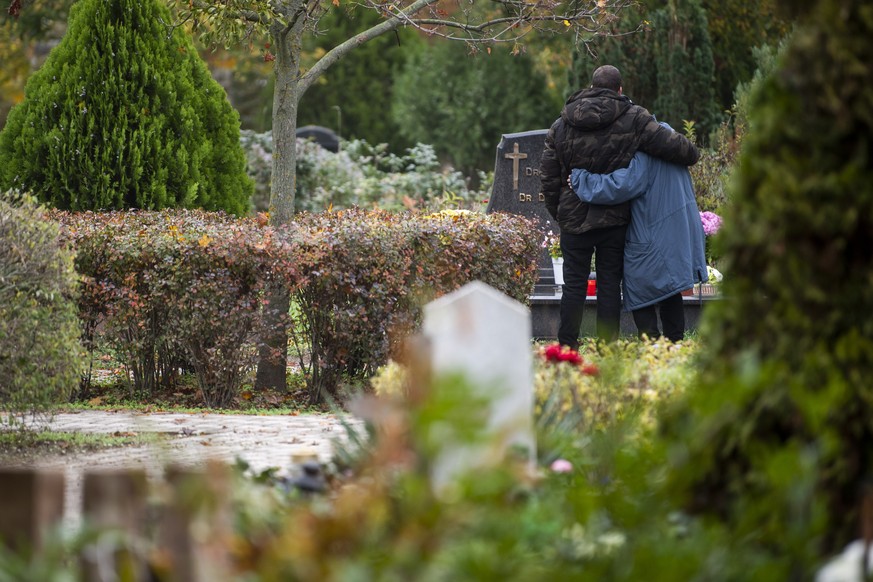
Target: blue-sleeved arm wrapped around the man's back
column 614, row 188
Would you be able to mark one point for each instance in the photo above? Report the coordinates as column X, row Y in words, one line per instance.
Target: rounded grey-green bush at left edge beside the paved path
column 40, row 355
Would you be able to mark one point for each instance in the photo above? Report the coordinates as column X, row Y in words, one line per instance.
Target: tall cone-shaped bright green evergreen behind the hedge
column 124, row 114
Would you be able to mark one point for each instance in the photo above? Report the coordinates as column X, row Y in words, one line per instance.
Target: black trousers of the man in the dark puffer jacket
column 609, row 264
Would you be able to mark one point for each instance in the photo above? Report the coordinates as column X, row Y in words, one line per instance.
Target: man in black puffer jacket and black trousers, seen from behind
column 599, row 130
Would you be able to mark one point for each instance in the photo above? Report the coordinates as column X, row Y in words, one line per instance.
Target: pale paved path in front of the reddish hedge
column 189, row 440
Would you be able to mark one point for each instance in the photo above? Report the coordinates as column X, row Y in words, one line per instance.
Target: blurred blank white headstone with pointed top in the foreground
column 481, row 333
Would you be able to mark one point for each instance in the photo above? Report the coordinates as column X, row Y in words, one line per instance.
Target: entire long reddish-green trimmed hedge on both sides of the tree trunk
column 185, row 289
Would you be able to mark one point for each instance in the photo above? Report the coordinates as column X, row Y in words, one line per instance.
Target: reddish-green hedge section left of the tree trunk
column 180, row 289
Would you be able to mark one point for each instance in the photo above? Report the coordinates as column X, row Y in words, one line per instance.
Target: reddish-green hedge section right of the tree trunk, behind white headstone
column 372, row 272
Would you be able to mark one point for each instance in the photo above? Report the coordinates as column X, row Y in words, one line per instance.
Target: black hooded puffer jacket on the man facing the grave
column 600, row 131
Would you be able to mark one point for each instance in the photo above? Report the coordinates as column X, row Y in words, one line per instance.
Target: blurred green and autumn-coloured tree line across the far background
column 684, row 63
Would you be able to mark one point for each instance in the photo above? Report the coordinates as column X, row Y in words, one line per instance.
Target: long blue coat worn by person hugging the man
column 664, row 250
